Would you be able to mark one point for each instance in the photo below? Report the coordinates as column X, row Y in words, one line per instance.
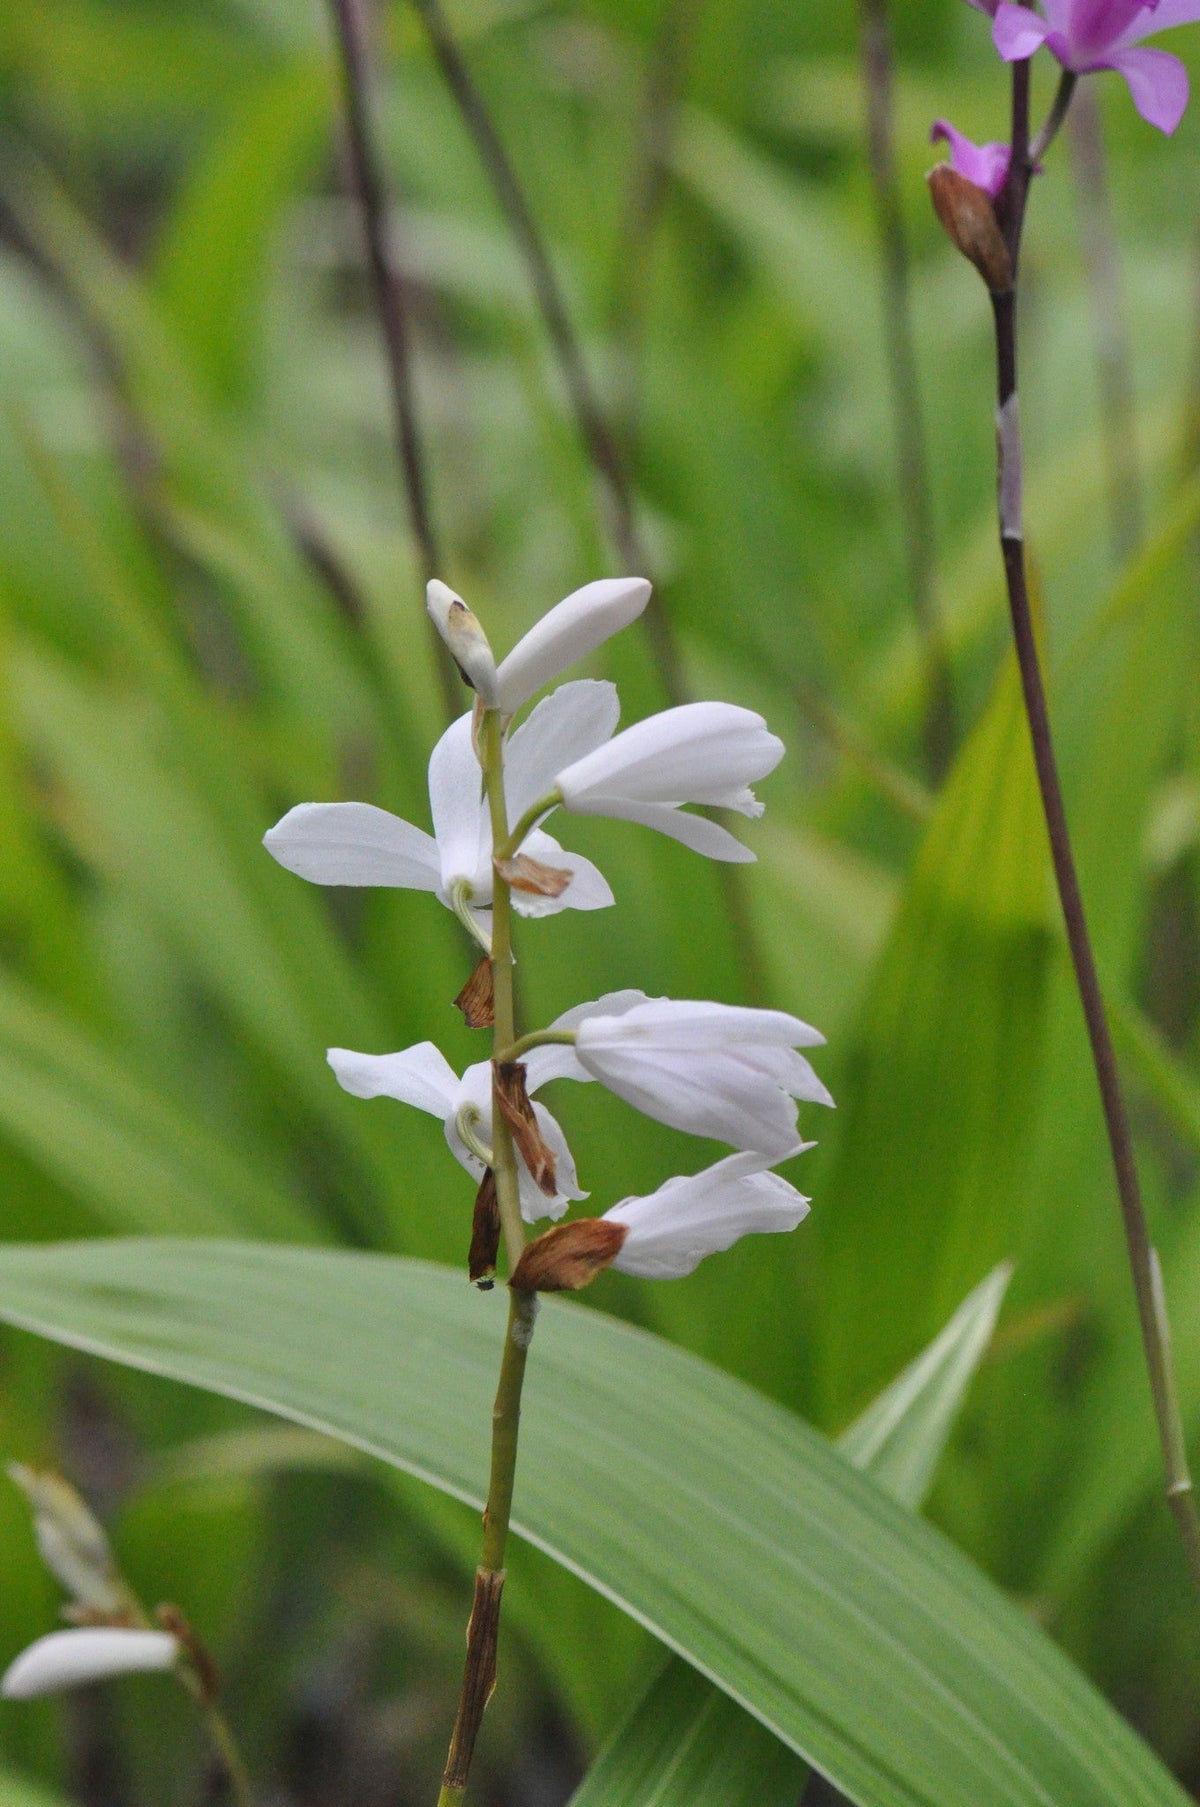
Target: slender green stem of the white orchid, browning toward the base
column 485, row 1620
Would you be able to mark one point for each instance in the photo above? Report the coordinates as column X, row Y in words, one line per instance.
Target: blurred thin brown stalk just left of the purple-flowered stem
column 906, row 397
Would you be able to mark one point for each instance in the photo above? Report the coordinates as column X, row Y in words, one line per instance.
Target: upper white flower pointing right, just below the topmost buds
column 700, row 753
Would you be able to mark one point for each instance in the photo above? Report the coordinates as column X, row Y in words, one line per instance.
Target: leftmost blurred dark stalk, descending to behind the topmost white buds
column 393, row 304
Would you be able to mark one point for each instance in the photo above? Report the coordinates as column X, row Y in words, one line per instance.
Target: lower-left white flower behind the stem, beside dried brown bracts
column 426, row 1080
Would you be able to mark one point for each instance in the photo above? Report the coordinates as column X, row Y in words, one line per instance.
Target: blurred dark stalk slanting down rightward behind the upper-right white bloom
column 594, row 427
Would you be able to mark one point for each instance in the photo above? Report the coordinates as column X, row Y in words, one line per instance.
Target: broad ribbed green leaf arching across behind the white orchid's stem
column 726, row 1526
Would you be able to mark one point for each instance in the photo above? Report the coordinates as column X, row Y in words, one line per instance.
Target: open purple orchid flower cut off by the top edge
column 1089, row 35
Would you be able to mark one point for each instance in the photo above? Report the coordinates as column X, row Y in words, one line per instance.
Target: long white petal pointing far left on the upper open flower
column 353, row 845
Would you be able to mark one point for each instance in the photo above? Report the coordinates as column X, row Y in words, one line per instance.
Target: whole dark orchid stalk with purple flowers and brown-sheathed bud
column 1085, row 37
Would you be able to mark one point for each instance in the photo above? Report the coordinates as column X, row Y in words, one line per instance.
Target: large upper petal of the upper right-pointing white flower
column 700, row 753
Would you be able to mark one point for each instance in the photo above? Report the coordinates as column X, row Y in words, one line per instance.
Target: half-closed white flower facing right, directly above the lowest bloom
column 715, row 1071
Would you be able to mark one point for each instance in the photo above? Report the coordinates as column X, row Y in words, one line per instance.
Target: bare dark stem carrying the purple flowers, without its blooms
column 1143, row 1262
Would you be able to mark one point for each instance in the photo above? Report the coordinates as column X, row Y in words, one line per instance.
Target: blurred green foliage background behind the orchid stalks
column 211, row 610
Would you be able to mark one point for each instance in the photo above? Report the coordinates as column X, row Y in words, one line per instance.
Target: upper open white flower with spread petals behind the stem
column 359, row 845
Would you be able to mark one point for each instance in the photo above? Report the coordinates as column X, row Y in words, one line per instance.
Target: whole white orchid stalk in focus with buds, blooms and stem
column 709, row 1069
